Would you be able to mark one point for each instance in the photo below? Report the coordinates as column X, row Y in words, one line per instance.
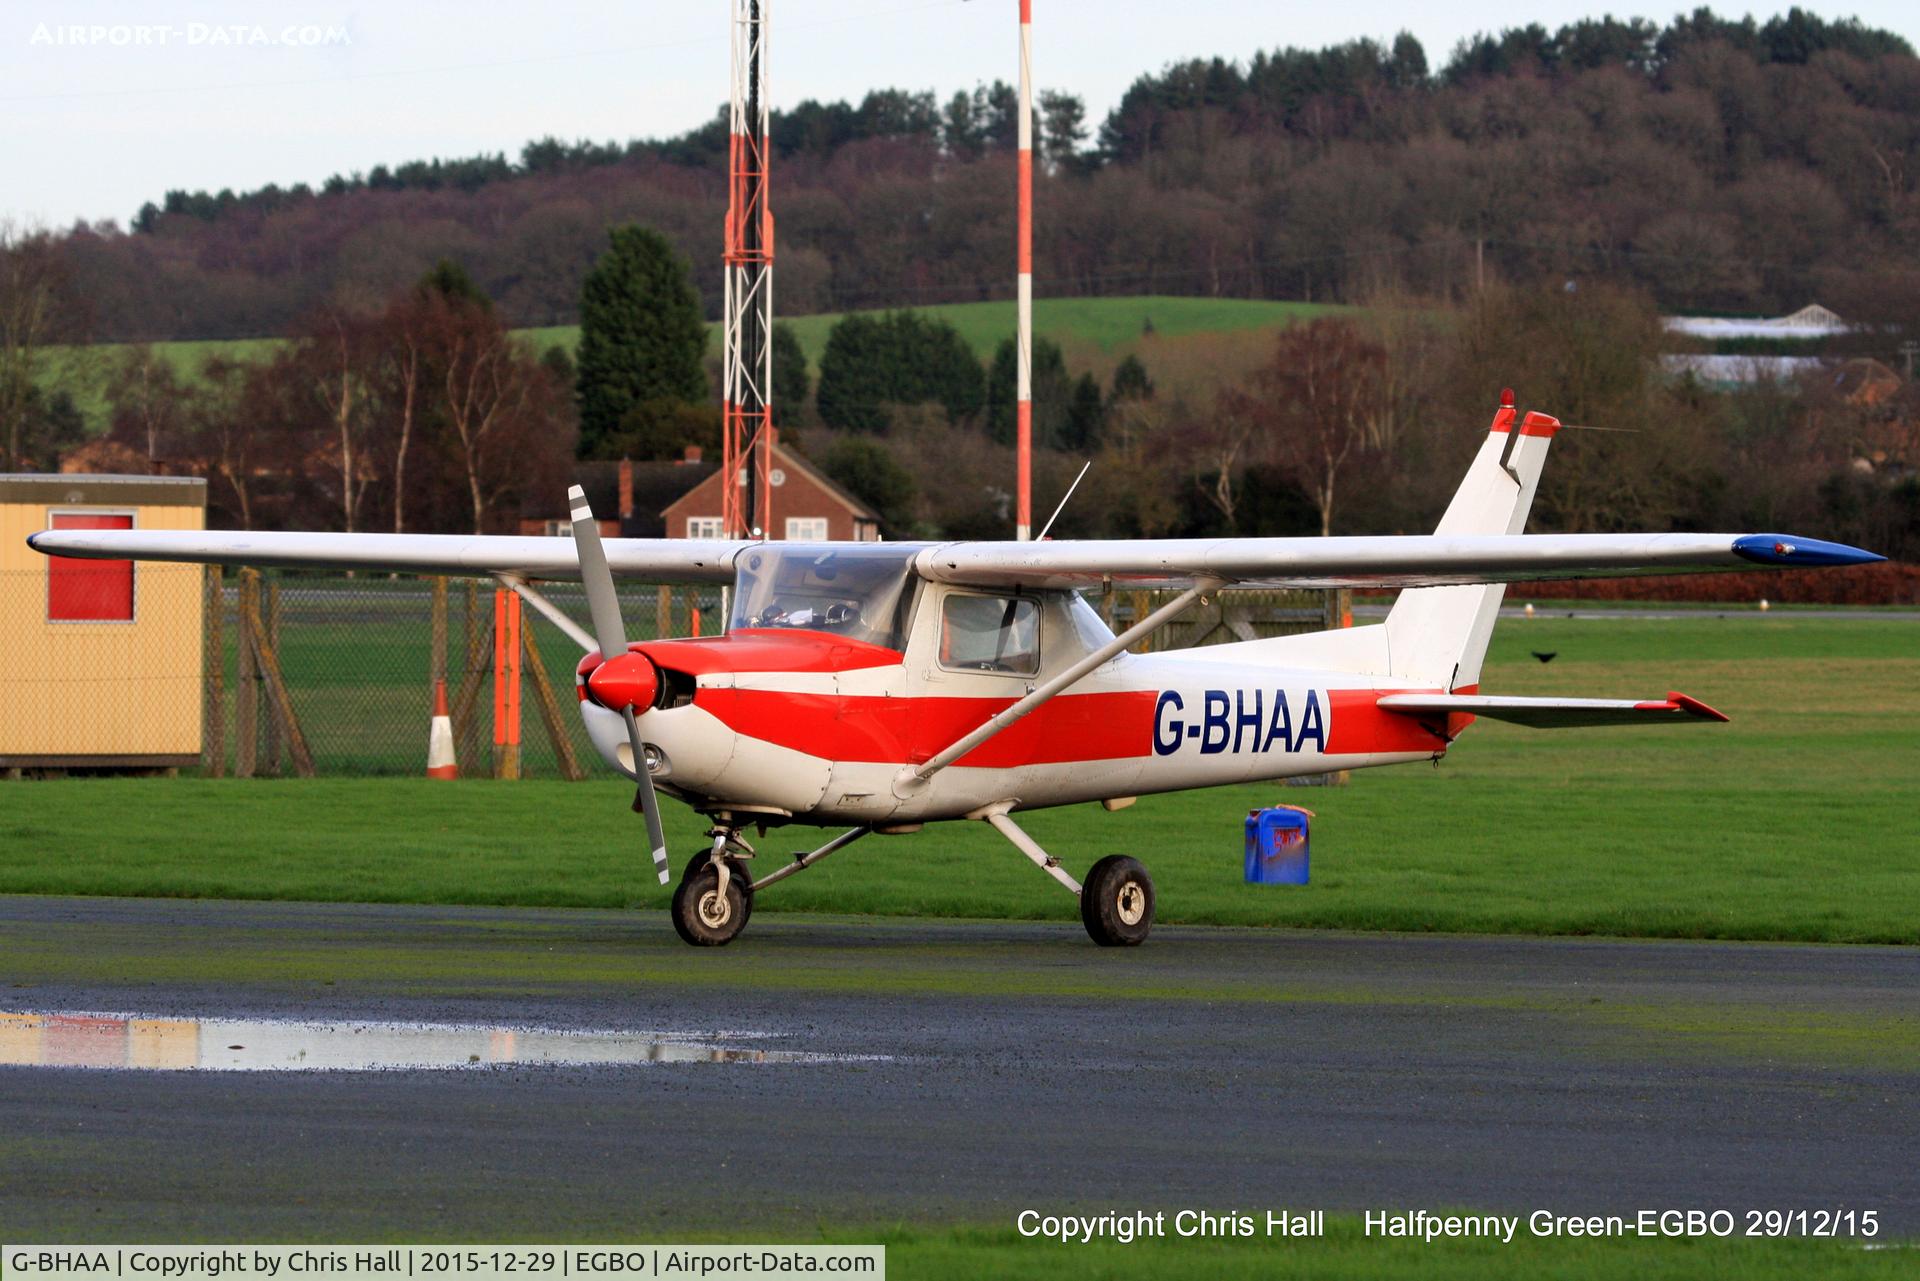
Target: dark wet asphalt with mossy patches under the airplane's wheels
column 944, row 1073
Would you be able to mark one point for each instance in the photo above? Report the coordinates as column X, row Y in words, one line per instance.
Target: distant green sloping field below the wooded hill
column 1103, row 324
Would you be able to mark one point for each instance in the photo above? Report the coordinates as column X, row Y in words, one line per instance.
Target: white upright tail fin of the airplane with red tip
column 1439, row 635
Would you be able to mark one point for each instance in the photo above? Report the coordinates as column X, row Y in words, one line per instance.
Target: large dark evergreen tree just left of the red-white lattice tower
column 642, row 337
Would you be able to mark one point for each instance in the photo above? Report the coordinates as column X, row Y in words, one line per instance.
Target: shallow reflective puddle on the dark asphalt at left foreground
column 68, row 1040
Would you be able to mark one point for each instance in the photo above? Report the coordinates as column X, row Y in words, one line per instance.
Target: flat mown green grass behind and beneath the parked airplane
column 1794, row 823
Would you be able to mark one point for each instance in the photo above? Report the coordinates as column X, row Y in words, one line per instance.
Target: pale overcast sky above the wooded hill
column 114, row 103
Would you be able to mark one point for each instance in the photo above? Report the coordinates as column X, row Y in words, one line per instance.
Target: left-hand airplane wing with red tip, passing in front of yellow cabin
column 654, row 560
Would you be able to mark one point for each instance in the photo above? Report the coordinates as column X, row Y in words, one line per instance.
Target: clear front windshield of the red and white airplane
column 861, row 594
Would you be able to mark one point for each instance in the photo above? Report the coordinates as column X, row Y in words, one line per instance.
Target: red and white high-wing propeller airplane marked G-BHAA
column 886, row 687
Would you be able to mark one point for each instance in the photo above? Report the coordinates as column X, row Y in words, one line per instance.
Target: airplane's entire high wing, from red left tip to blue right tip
column 1397, row 562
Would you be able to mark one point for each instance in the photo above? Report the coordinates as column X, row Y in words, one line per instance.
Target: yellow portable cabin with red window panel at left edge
column 101, row 662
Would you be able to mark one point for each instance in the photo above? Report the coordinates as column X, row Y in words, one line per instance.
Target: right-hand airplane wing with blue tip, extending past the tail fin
column 1399, row 562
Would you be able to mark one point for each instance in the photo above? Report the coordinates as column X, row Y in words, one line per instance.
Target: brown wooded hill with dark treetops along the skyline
column 1716, row 164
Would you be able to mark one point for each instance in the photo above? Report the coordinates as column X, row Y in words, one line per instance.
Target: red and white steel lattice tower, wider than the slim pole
column 748, row 316
